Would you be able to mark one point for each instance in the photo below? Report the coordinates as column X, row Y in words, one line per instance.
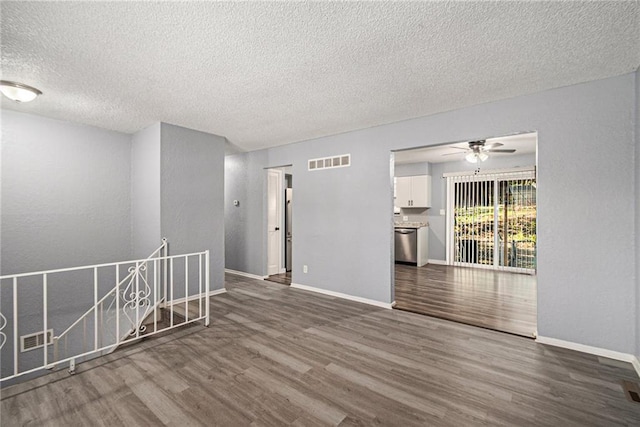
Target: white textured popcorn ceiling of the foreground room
column 265, row 74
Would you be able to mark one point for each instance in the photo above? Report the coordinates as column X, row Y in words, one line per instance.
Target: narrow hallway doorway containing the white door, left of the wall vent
column 279, row 224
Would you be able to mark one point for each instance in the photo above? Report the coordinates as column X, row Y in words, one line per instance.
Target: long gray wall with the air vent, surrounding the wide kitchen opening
column 586, row 285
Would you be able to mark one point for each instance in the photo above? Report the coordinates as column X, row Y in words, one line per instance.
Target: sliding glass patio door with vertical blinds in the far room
column 491, row 219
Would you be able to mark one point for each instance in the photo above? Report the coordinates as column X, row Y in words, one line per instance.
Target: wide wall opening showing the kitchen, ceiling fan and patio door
column 477, row 230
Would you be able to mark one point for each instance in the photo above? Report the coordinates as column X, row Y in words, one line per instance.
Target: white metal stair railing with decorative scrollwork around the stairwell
column 46, row 324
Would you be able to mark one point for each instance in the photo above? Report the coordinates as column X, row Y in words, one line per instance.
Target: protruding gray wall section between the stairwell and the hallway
column 192, row 194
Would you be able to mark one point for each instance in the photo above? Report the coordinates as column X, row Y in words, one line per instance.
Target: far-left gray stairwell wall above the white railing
column 65, row 194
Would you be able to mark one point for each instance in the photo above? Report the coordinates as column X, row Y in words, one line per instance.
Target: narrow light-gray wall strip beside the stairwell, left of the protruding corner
column 145, row 191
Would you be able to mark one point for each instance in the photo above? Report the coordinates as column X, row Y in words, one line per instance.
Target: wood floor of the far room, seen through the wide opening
column 491, row 299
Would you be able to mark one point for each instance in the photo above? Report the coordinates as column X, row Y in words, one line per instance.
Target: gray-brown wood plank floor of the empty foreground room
column 277, row 356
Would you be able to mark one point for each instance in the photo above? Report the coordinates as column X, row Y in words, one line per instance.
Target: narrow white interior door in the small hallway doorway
column 274, row 220
